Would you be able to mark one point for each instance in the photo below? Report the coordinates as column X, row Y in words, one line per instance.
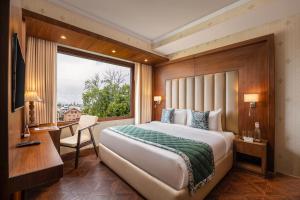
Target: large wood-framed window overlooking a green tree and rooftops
column 95, row 85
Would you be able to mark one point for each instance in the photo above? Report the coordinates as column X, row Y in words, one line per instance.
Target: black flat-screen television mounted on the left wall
column 18, row 75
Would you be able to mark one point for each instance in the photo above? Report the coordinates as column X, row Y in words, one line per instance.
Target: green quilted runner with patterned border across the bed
column 198, row 156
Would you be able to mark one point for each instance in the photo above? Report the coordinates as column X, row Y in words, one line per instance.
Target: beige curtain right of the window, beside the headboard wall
column 143, row 93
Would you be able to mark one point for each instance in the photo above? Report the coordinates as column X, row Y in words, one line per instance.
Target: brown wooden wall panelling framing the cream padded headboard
column 254, row 61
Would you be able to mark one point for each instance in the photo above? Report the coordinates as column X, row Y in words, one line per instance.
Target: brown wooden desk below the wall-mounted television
column 31, row 165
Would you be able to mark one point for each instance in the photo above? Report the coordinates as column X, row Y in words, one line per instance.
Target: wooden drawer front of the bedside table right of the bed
column 250, row 148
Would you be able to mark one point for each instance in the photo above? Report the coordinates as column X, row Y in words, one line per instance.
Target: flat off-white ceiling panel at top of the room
column 148, row 19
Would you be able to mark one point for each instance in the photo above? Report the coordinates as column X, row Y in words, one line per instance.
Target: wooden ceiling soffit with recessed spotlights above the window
column 47, row 28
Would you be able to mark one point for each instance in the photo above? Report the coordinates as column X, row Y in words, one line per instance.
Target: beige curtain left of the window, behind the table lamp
column 41, row 77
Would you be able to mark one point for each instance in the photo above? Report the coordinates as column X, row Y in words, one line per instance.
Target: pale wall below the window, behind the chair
column 97, row 131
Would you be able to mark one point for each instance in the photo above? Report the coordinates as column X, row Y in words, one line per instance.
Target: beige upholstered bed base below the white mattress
column 152, row 188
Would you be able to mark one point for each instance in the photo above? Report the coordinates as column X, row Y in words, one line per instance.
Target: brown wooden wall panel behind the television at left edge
column 11, row 123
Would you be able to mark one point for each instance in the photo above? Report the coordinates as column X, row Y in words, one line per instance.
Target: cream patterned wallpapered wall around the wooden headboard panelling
column 287, row 84
